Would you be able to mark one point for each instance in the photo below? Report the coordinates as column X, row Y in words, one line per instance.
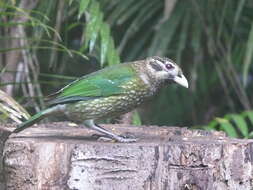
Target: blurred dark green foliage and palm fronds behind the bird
column 212, row 40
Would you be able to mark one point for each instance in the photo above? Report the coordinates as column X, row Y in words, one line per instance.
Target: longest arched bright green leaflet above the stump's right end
column 240, row 123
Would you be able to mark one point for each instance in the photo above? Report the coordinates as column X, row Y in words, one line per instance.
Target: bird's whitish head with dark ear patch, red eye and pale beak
column 164, row 69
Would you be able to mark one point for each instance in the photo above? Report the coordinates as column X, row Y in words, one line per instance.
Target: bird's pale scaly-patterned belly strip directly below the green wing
column 103, row 107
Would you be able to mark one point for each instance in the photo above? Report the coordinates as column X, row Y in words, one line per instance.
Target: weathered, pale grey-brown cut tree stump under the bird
column 57, row 156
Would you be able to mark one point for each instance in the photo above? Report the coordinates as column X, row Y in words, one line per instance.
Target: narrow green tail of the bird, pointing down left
column 34, row 119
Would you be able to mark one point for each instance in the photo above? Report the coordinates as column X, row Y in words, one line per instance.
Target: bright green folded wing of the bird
column 105, row 82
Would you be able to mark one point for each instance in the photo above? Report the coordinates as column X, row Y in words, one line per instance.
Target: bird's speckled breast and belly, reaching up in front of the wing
column 135, row 93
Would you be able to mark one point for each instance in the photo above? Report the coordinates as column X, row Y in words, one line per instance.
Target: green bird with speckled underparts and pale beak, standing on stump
column 110, row 92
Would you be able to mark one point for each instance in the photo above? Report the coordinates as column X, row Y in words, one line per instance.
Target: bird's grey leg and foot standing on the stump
column 90, row 124
